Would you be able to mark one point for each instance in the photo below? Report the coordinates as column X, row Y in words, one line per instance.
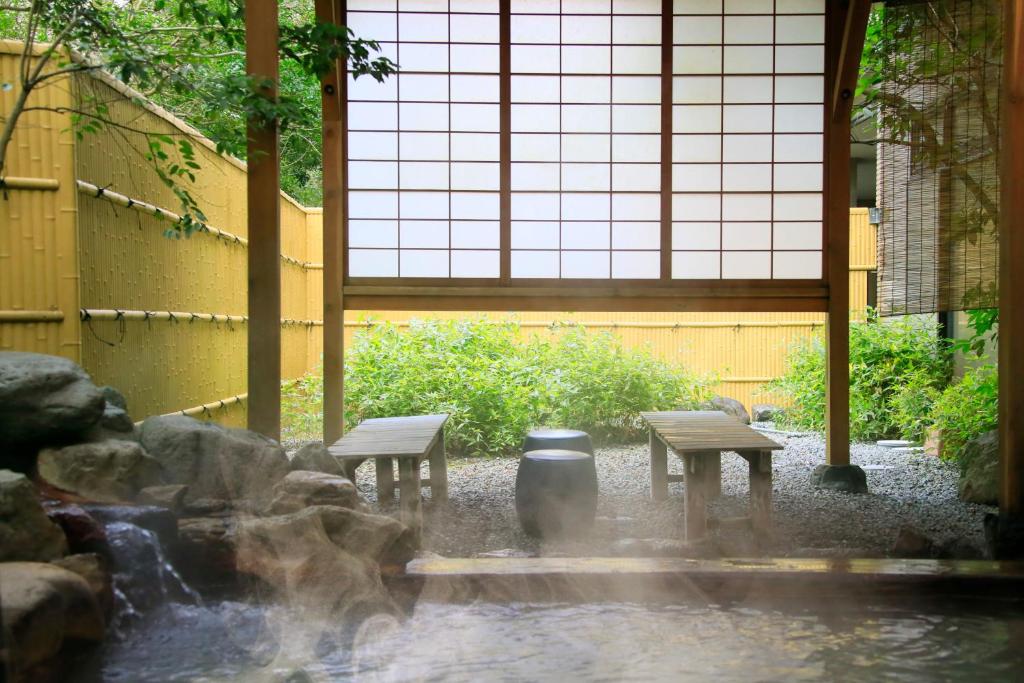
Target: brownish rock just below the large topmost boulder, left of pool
column 112, row 472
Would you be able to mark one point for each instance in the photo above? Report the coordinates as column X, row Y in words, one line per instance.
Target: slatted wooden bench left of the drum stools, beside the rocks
column 409, row 441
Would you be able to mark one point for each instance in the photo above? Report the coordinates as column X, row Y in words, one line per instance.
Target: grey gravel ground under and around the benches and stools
column 906, row 489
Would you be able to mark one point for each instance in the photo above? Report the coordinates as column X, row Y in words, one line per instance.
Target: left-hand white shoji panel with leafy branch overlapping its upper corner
column 423, row 147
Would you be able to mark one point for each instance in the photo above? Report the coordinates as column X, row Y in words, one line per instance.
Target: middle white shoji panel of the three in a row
column 585, row 139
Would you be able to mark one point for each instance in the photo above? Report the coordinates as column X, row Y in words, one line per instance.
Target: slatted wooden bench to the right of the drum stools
column 699, row 438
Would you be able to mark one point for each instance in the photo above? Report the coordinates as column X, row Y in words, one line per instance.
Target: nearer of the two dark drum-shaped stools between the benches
column 557, row 492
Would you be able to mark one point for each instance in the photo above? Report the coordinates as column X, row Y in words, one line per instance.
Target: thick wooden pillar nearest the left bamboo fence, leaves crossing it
column 264, row 196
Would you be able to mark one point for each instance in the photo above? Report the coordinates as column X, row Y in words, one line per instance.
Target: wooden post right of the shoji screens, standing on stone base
column 847, row 23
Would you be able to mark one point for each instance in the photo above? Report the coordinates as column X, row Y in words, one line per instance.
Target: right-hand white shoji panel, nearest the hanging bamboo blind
column 748, row 139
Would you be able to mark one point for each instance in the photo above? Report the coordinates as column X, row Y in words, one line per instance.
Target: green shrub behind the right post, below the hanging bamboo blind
column 886, row 359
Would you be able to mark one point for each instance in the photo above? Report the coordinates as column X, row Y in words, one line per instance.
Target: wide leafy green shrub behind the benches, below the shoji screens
column 496, row 387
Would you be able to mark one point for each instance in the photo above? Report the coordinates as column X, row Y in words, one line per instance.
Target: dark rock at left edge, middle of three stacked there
column 26, row 532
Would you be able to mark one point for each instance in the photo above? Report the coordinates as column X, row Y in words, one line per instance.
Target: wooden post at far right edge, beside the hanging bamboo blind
column 1011, row 259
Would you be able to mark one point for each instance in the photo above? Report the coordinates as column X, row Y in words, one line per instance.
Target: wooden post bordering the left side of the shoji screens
column 333, row 97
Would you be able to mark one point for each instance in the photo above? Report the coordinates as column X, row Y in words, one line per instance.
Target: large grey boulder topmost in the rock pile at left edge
column 46, row 400
